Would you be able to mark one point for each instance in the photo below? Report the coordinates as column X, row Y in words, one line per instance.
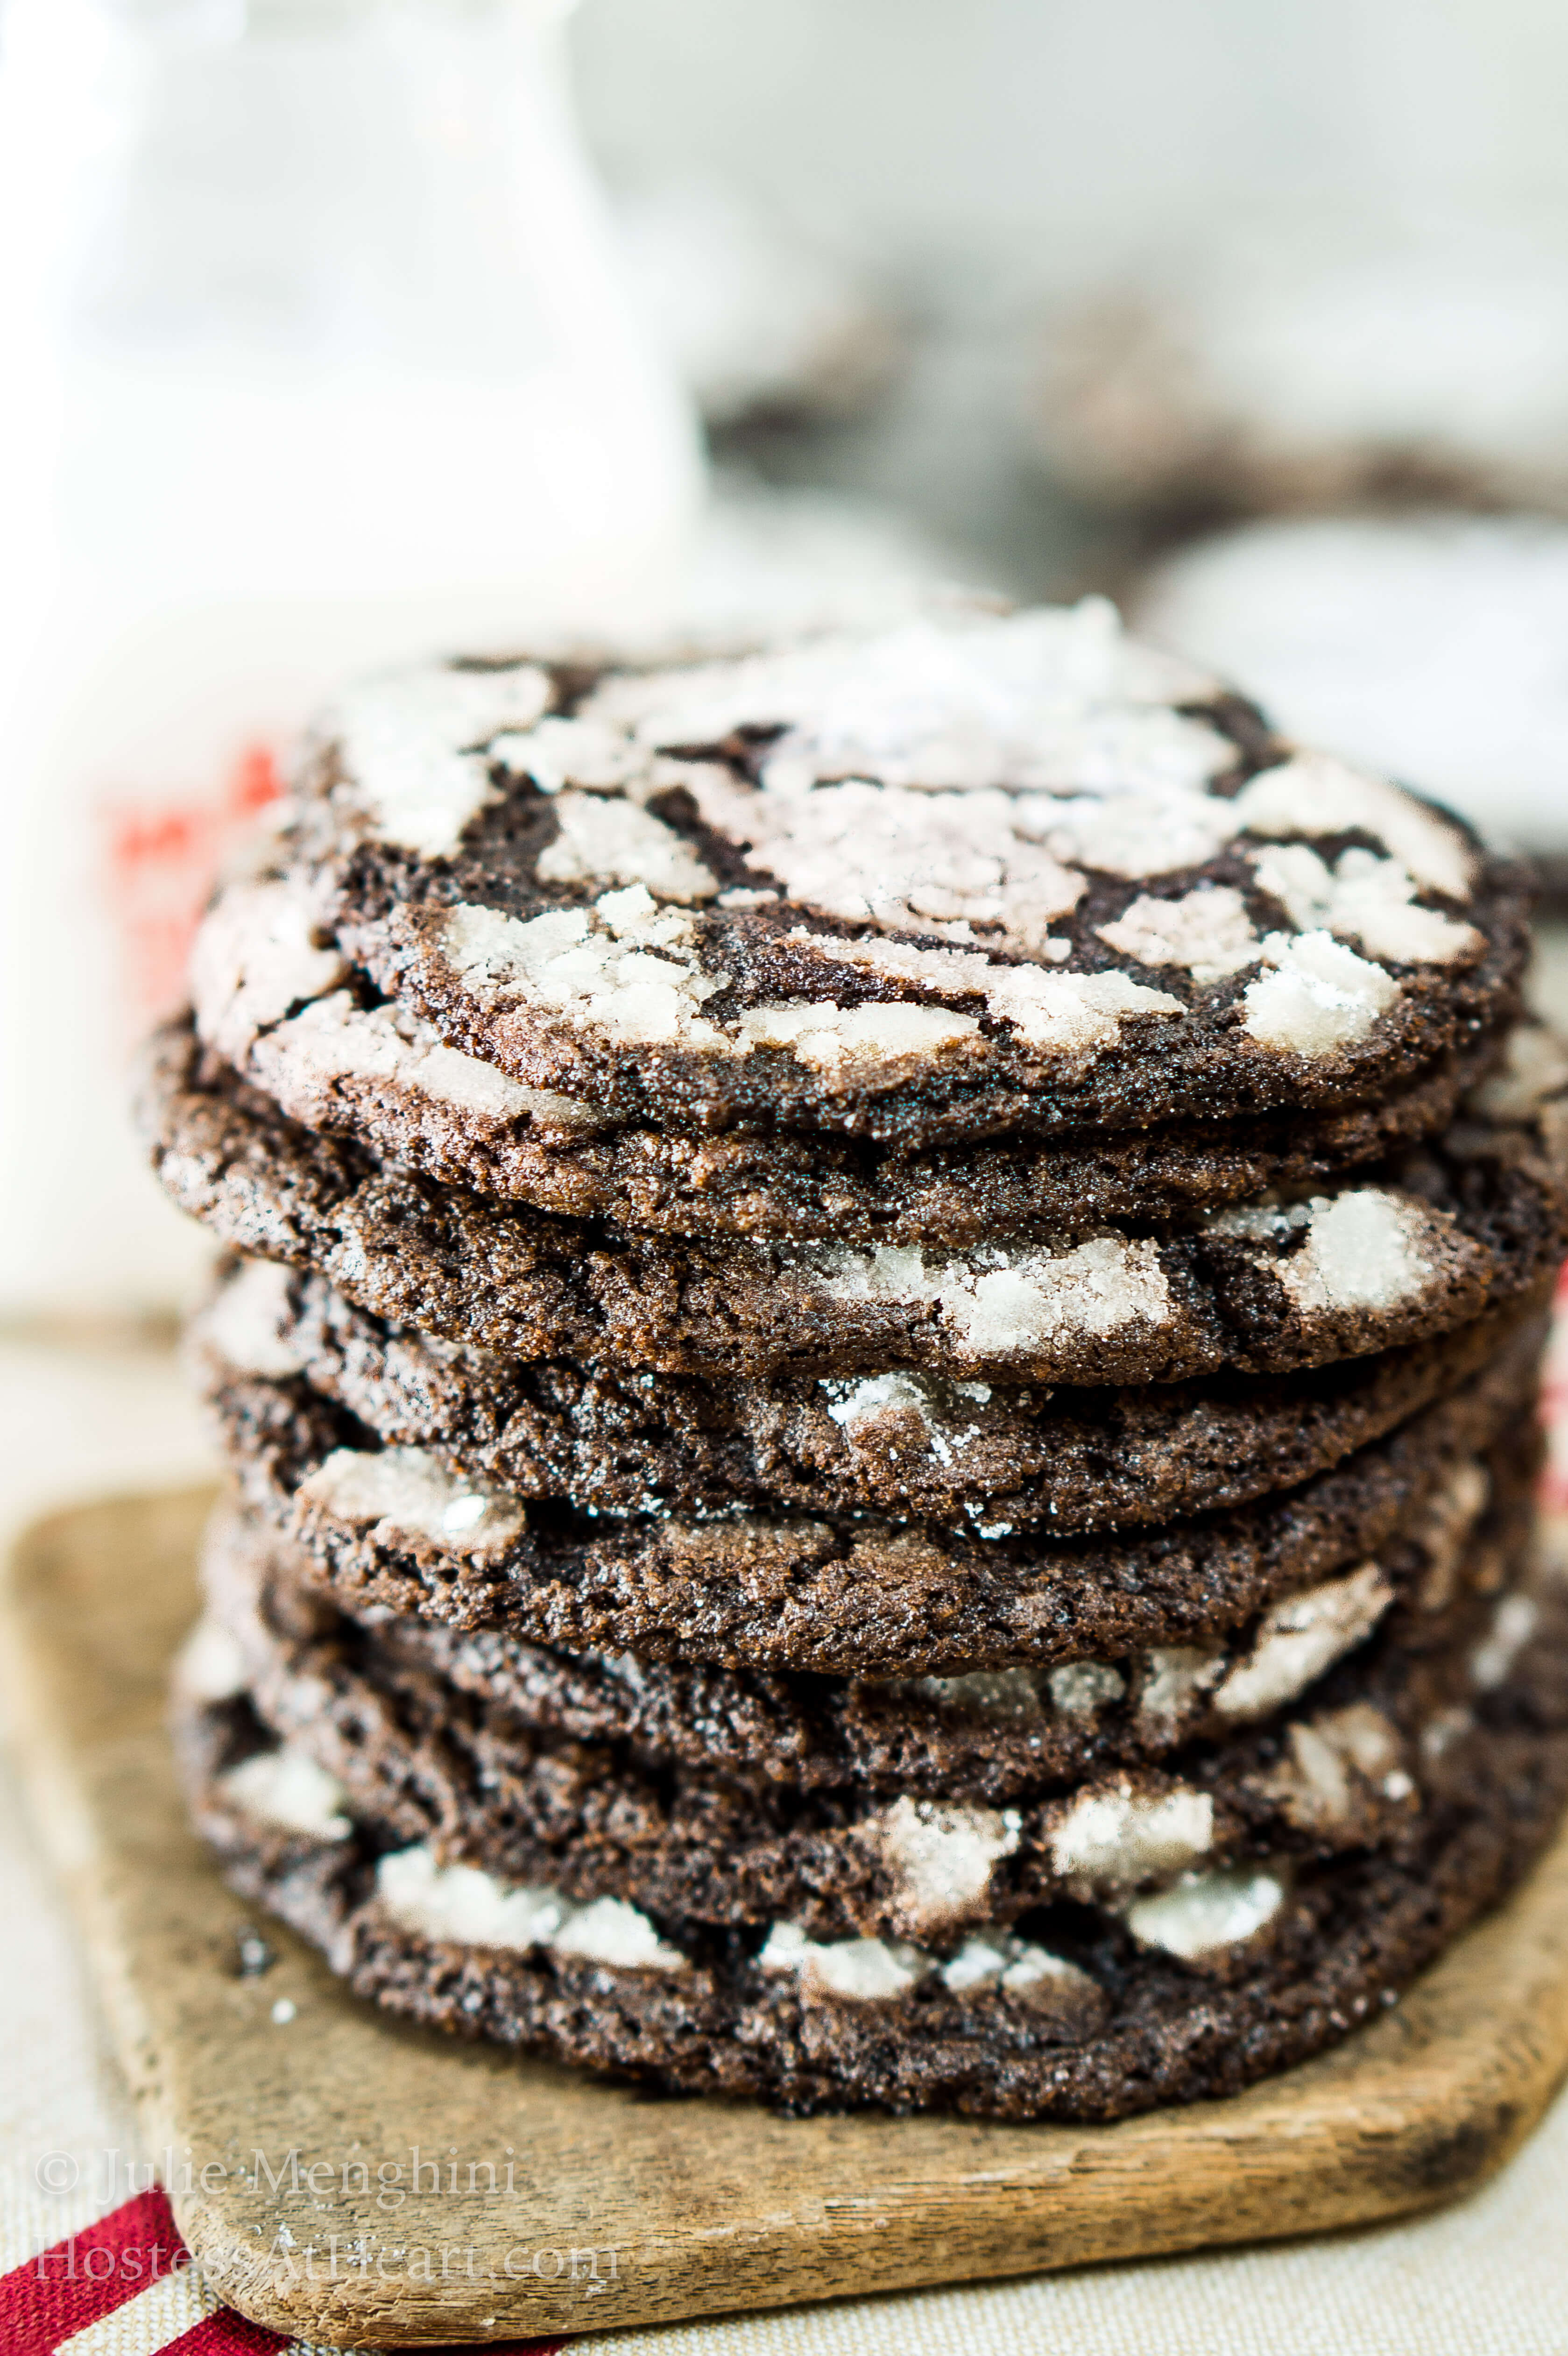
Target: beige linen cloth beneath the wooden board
column 1482, row 2279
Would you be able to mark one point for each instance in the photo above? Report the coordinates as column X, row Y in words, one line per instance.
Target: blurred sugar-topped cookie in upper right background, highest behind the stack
column 1303, row 364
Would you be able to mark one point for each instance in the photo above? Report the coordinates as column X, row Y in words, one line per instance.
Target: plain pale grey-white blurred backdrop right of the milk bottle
column 1016, row 145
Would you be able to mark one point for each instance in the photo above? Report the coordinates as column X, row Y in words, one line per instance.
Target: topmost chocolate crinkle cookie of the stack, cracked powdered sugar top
column 966, row 878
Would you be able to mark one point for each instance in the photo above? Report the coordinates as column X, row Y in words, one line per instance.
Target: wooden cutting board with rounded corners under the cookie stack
column 550, row 2204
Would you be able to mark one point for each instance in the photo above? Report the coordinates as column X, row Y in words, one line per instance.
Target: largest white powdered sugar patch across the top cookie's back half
column 910, row 781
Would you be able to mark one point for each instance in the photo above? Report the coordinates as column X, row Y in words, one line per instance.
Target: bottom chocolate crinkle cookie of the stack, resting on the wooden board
column 1084, row 2013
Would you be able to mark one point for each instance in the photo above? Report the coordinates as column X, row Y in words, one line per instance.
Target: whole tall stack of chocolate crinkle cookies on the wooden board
column 877, row 1342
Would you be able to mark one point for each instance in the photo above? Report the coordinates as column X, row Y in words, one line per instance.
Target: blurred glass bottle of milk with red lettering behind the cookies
column 314, row 359
